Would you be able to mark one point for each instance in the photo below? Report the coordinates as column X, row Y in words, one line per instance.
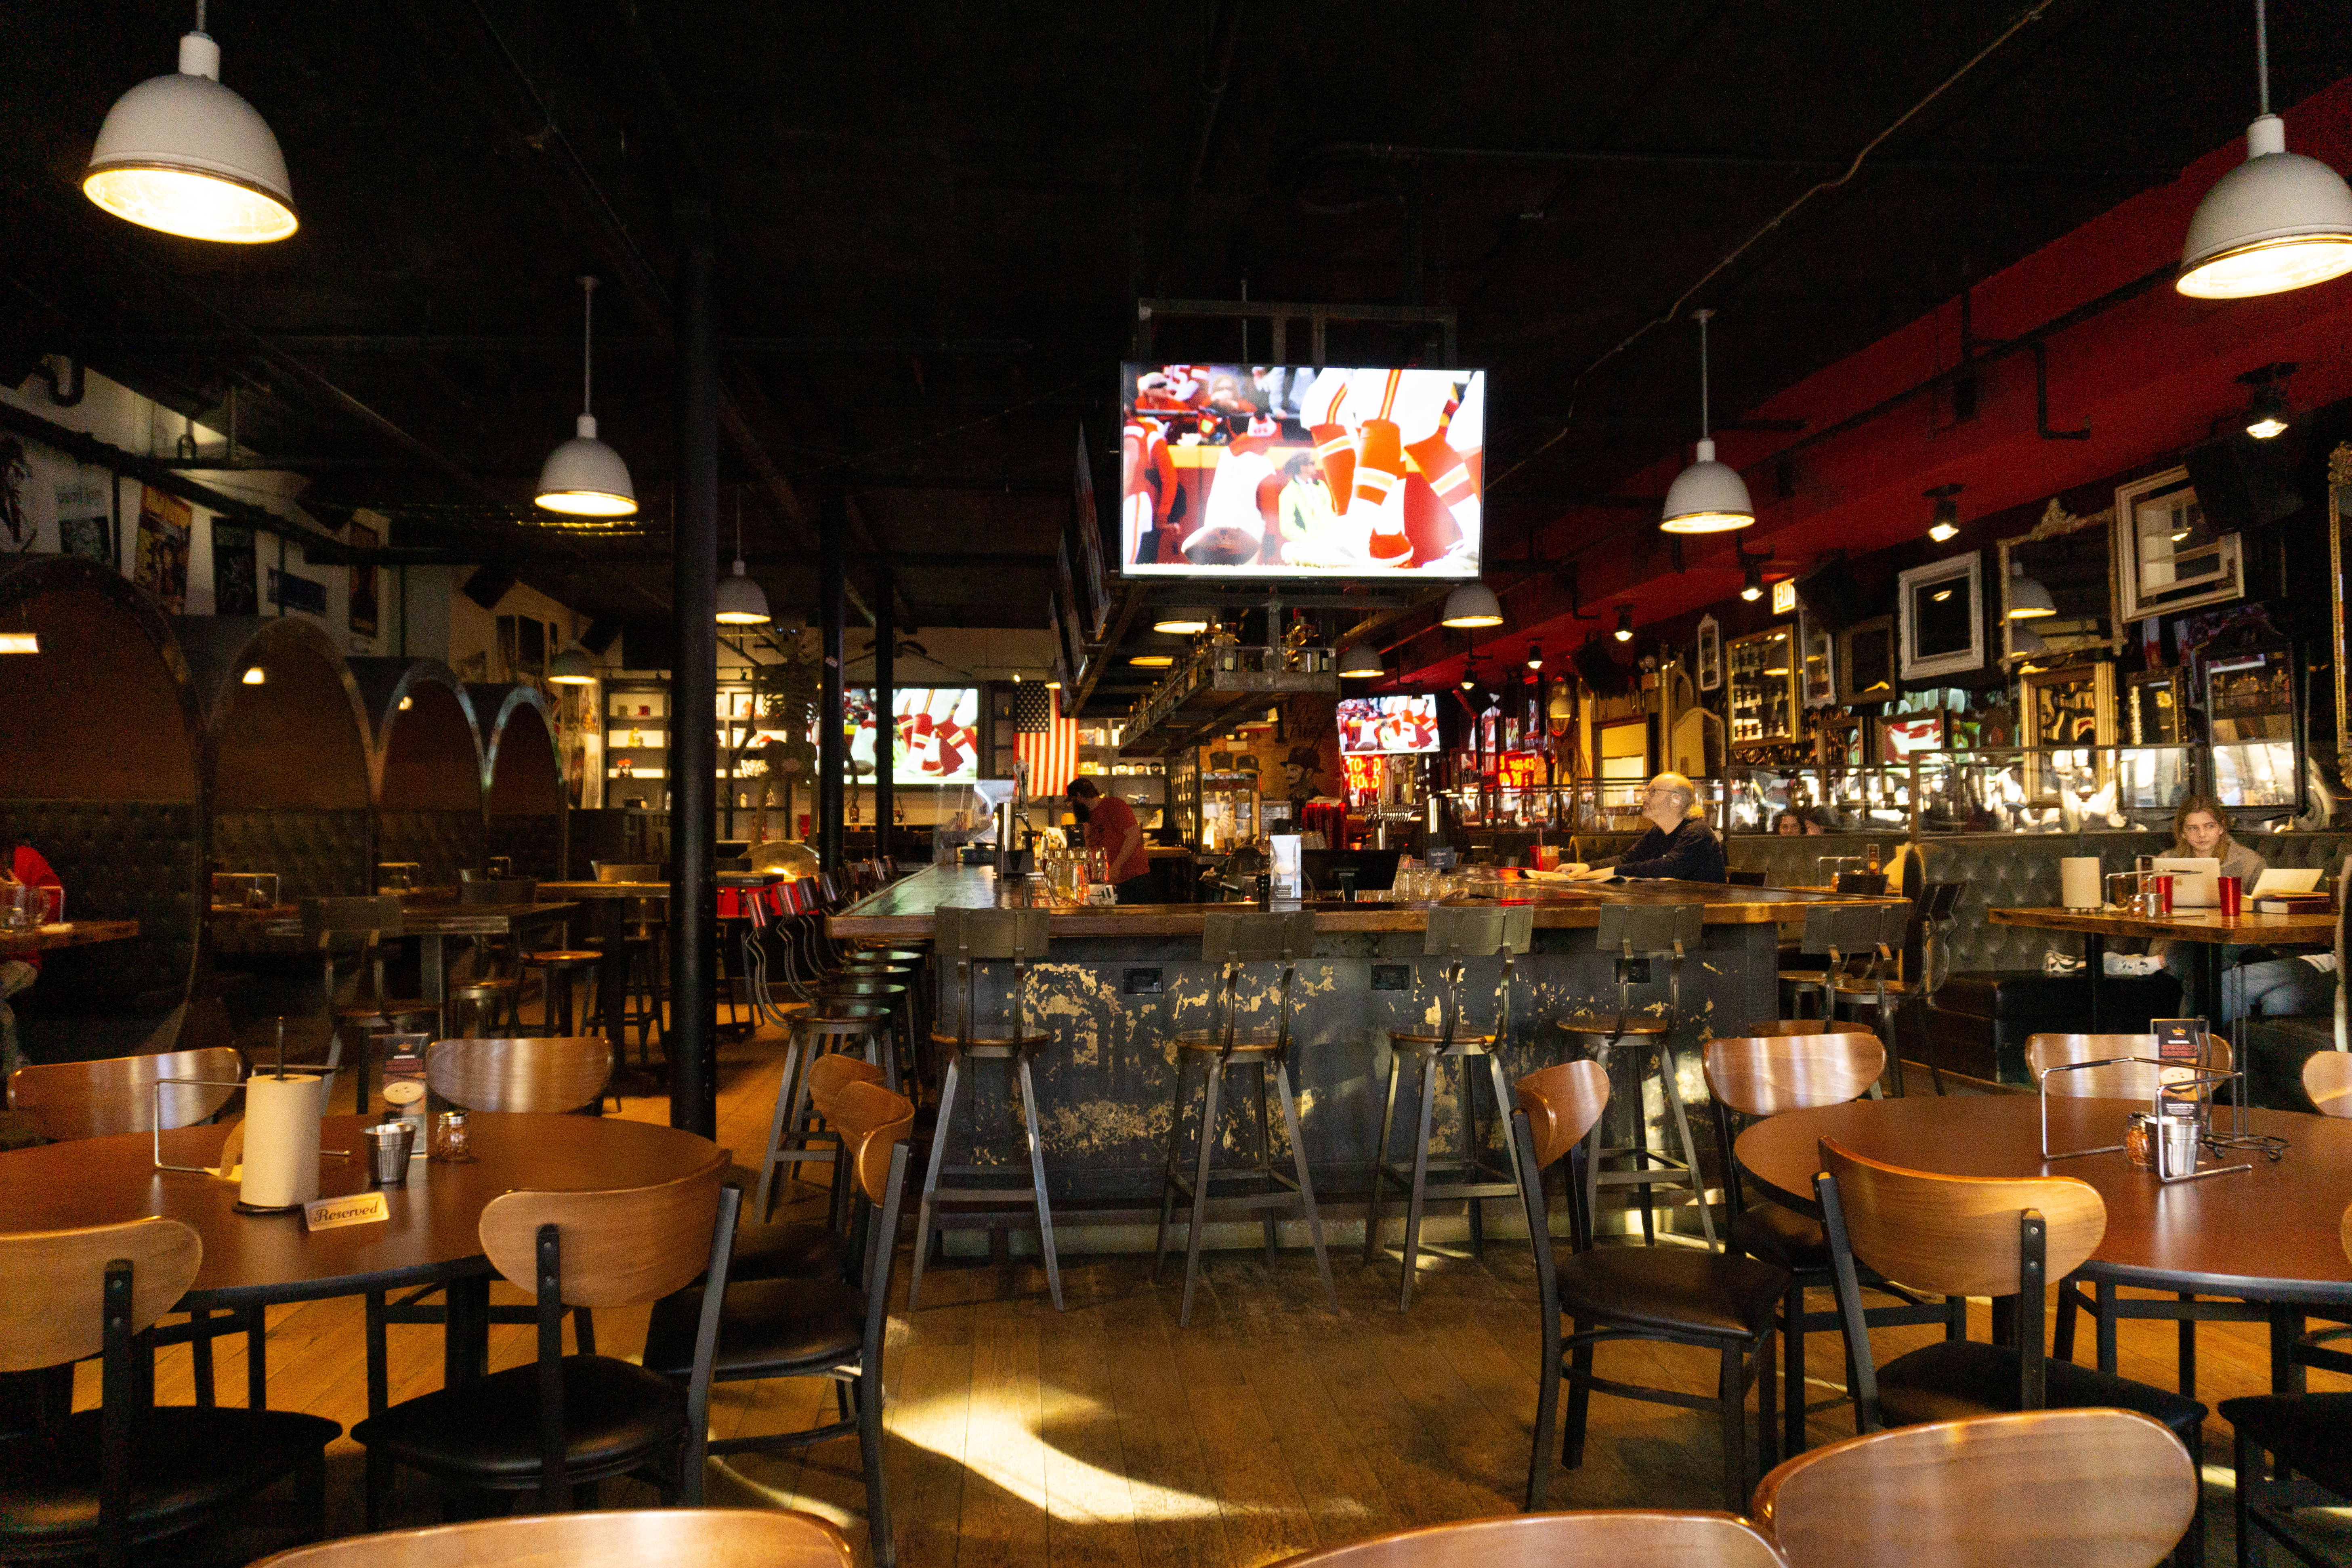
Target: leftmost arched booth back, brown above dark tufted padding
column 102, row 772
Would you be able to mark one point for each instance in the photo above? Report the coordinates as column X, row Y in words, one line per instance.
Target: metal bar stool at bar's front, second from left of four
column 1238, row 942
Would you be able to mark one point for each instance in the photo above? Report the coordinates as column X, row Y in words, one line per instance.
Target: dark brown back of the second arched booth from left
column 288, row 760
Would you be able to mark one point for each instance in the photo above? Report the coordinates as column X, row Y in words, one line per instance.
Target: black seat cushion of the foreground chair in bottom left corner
column 185, row 1466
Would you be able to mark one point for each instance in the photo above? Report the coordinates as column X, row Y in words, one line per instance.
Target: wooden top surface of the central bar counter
column 907, row 906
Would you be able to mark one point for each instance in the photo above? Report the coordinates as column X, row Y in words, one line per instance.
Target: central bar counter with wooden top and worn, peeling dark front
column 1121, row 981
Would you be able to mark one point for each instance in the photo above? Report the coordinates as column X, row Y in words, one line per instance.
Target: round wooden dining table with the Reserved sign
column 432, row 1235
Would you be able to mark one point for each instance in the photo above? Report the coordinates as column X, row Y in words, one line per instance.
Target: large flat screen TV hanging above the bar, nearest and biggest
column 1285, row 471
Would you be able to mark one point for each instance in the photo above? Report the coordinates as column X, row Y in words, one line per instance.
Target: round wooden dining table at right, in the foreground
column 2269, row 1235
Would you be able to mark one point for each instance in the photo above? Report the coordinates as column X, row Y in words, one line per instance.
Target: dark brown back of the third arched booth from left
column 427, row 768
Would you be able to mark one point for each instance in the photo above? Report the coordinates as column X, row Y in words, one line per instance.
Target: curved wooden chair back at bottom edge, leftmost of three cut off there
column 624, row 1539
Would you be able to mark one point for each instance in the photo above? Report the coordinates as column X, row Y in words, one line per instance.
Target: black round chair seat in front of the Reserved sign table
column 613, row 1416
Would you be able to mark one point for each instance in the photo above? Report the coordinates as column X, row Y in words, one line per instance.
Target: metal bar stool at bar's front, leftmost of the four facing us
column 987, row 937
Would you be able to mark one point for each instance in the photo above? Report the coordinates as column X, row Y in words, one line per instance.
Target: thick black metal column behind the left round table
column 695, row 692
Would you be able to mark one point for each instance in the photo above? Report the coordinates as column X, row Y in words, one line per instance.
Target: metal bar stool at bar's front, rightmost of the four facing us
column 1643, row 934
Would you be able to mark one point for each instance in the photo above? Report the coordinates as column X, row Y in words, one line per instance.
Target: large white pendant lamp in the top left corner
column 187, row 156
